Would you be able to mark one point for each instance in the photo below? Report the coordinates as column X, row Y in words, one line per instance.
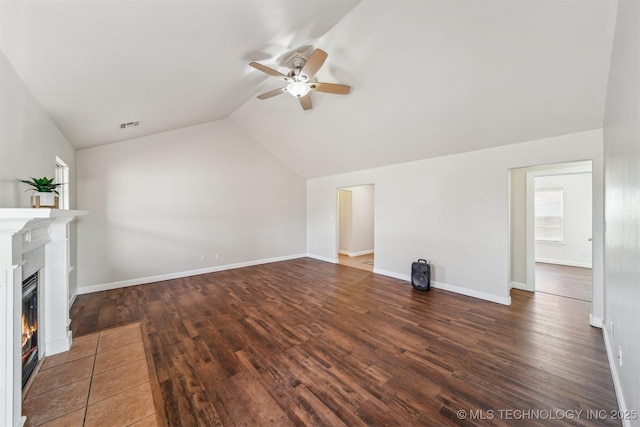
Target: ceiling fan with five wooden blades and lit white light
column 298, row 80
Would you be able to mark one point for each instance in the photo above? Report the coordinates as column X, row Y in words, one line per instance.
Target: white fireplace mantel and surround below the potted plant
column 24, row 235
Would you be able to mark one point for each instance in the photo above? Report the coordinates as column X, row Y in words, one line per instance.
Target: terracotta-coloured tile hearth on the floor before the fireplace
column 102, row 381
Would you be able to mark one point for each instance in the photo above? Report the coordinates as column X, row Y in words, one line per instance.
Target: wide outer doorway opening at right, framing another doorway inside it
column 529, row 265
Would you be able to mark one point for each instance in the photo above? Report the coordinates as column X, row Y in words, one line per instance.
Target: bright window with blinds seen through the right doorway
column 549, row 215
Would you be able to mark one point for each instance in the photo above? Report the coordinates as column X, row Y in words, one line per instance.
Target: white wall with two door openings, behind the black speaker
column 452, row 210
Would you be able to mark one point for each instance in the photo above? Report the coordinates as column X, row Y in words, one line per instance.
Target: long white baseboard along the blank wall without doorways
column 150, row 279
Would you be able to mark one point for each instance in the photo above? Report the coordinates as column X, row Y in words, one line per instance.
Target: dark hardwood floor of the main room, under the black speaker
column 305, row 342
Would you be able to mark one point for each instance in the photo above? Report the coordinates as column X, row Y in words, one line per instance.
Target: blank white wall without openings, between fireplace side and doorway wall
column 160, row 203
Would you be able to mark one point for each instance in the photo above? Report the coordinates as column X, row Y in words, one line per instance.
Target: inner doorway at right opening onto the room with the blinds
column 563, row 234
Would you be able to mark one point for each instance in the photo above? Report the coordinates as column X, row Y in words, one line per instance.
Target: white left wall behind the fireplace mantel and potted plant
column 29, row 144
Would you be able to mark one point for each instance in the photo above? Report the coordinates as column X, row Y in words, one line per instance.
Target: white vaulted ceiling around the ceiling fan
column 428, row 78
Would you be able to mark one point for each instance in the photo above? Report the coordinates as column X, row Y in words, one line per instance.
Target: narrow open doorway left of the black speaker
column 356, row 226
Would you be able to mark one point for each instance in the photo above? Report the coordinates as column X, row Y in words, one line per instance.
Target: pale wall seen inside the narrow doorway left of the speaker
column 356, row 206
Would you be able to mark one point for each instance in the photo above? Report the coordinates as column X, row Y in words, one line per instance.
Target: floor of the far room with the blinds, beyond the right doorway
column 564, row 280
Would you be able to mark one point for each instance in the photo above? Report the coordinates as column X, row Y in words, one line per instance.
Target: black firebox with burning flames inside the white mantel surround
column 29, row 326
